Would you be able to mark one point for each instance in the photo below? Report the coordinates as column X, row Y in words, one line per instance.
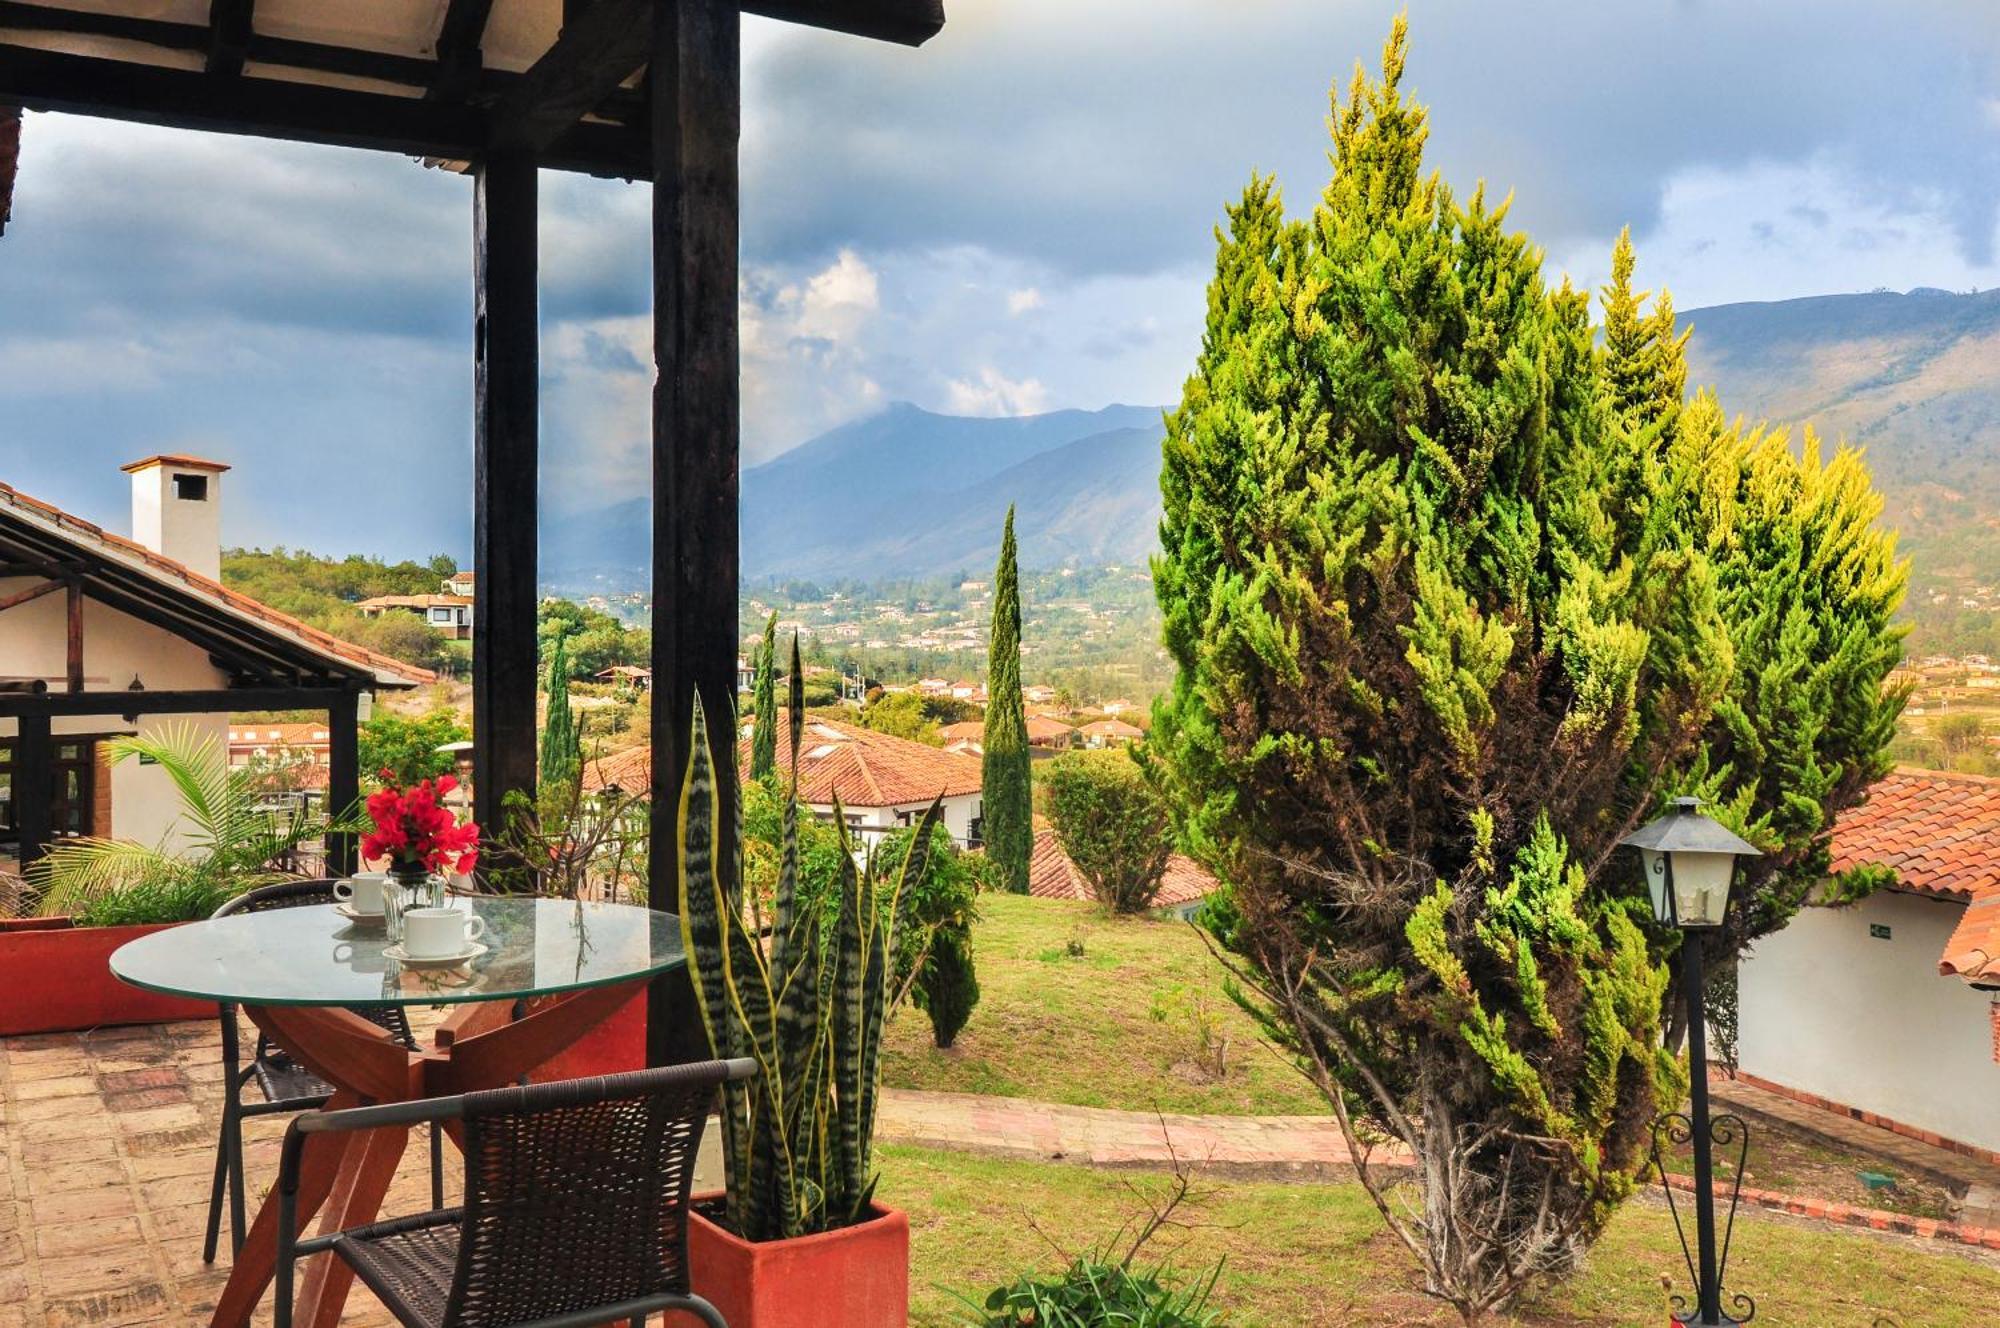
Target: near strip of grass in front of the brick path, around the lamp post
column 1307, row 1255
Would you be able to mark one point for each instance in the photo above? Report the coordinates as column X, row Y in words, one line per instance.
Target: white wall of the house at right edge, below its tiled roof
column 1869, row 1023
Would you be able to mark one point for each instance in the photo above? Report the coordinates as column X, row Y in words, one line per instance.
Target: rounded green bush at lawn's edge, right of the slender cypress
column 1111, row 823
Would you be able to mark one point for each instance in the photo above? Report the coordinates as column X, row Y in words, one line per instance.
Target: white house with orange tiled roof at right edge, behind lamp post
column 1889, row 1009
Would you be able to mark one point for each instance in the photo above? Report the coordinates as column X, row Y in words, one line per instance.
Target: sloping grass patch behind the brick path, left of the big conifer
column 1135, row 1023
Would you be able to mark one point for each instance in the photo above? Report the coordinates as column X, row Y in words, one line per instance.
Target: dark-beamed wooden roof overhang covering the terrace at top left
column 451, row 81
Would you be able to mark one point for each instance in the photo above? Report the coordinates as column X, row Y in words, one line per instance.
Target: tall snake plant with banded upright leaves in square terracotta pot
column 803, row 993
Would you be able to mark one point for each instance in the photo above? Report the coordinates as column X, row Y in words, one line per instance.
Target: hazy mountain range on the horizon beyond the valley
column 911, row 493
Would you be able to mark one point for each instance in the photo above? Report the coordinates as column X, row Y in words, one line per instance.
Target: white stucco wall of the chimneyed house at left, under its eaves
column 117, row 649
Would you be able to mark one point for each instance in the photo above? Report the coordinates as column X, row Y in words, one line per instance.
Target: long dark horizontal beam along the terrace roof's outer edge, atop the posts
column 303, row 113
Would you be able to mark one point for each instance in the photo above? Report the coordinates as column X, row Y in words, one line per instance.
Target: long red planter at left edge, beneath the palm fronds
column 55, row 977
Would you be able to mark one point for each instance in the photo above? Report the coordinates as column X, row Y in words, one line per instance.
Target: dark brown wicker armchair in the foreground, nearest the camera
column 577, row 1205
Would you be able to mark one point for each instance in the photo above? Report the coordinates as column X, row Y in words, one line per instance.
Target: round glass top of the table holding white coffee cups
column 313, row 957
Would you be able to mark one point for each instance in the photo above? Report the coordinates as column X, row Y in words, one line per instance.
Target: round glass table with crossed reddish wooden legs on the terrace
column 551, row 973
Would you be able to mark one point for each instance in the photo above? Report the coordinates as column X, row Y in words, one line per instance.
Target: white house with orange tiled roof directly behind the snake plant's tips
column 879, row 781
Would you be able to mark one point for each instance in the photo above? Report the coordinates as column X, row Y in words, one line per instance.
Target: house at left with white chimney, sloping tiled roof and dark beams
column 105, row 635
